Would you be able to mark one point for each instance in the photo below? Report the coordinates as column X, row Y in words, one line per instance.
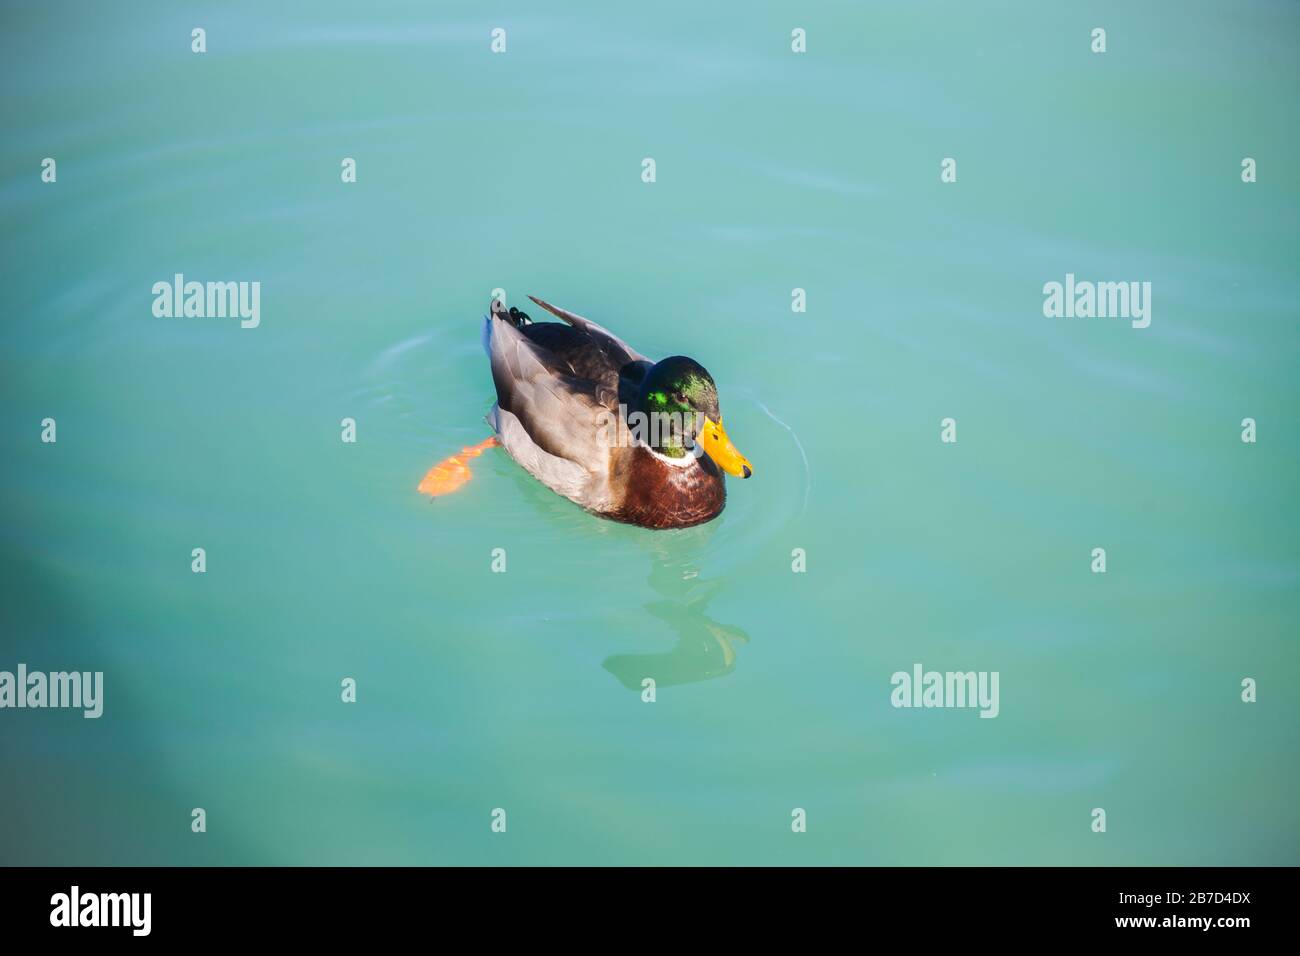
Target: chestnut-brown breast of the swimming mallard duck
column 656, row 495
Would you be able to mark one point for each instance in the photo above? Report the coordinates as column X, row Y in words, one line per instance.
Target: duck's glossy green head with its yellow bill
column 681, row 399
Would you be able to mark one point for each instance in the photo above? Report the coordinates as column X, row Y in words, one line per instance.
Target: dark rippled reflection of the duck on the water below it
column 704, row 648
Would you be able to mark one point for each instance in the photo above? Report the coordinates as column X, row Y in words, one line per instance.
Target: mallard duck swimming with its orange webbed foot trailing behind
column 627, row 439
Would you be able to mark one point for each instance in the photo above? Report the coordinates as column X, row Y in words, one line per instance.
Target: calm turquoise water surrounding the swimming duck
column 523, row 690
